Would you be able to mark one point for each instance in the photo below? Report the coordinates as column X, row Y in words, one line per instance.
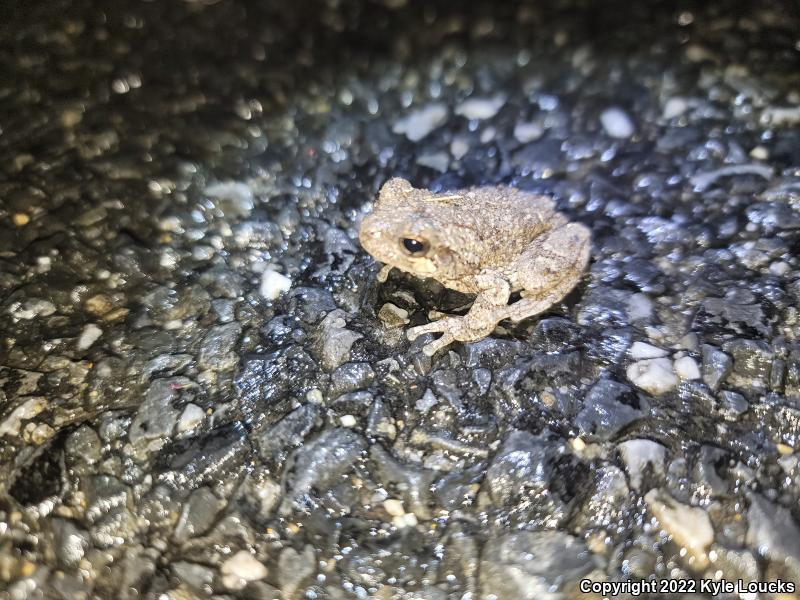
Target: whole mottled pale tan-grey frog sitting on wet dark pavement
column 488, row 241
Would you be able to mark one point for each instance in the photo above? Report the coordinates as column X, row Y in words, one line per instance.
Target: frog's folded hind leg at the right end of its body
column 549, row 269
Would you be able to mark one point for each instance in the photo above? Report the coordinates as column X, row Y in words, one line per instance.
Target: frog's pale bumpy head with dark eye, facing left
column 408, row 229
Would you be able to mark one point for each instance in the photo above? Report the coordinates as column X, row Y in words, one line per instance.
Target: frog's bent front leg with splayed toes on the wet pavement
column 487, row 310
